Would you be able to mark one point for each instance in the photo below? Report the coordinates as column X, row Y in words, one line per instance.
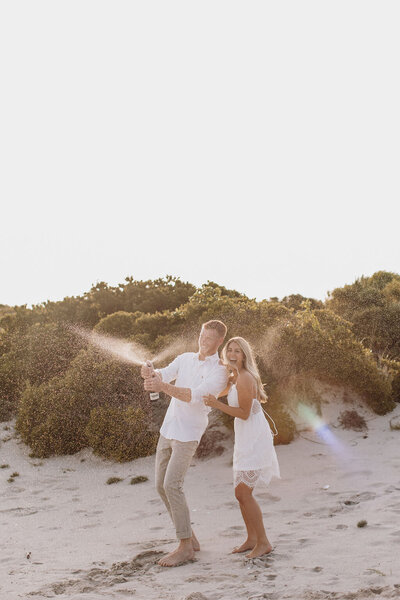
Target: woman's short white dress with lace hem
column 254, row 456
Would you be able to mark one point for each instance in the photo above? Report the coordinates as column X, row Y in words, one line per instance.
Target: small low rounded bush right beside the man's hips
column 120, row 434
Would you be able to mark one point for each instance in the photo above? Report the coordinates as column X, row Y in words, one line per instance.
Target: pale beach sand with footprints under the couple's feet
column 65, row 533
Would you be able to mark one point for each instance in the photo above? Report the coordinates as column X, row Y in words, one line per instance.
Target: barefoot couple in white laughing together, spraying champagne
column 199, row 379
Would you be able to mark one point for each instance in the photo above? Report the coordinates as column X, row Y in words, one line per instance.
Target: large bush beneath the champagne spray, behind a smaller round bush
column 52, row 417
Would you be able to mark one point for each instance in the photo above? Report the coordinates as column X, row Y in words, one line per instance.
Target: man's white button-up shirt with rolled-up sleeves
column 186, row 421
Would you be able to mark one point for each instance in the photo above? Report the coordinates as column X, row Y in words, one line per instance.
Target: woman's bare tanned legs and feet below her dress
column 252, row 516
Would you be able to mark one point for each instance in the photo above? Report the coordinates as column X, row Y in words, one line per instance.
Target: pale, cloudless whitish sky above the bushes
column 252, row 143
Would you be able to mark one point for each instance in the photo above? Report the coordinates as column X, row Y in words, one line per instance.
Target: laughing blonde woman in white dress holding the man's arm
column 254, row 456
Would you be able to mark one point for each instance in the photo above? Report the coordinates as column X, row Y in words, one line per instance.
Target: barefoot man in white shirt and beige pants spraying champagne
column 195, row 375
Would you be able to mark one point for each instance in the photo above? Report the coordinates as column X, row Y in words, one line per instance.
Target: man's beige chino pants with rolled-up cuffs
column 172, row 461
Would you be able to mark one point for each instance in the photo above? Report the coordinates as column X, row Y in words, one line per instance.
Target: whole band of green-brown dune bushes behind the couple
column 66, row 395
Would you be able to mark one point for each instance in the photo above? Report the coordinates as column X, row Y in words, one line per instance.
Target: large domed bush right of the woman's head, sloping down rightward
column 320, row 345
